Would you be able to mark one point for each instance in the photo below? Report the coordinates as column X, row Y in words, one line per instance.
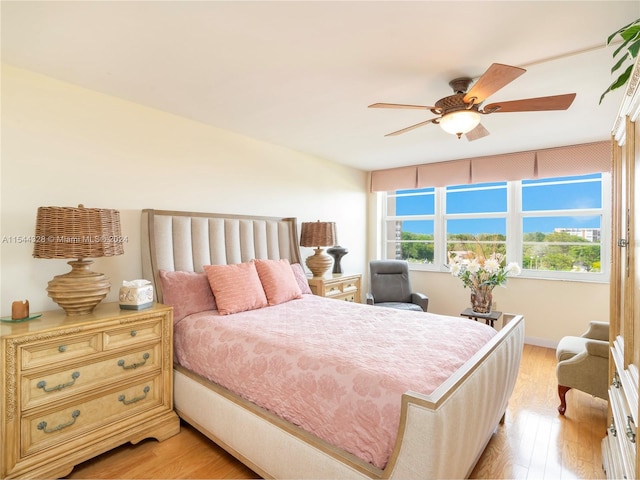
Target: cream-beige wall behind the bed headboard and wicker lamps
column 63, row 145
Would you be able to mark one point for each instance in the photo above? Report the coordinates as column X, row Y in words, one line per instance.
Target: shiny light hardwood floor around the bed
column 534, row 442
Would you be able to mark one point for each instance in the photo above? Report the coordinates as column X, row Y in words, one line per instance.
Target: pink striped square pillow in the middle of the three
column 236, row 287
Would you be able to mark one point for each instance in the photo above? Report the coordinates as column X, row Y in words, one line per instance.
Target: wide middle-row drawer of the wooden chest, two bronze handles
column 41, row 388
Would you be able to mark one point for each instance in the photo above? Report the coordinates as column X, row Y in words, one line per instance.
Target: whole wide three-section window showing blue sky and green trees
column 553, row 228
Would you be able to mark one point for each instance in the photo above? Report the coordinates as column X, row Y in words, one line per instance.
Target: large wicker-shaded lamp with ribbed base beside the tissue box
column 80, row 233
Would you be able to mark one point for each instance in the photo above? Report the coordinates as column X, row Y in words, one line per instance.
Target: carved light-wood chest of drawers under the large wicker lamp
column 75, row 387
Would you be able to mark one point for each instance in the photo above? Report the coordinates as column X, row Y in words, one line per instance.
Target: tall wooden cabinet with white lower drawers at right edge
column 619, row 447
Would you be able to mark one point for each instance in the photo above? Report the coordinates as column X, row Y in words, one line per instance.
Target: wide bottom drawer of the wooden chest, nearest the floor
column 58, row 425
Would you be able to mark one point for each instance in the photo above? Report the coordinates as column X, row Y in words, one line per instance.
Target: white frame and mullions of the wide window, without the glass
column 514, row 231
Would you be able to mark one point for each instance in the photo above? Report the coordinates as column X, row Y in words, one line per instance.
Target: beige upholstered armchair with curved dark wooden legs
column 583, row 363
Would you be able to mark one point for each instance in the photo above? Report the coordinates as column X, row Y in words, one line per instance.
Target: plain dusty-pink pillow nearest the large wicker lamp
column 186, row 292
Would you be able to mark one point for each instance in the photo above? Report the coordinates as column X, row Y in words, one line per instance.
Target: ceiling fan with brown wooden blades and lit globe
column 460, row 113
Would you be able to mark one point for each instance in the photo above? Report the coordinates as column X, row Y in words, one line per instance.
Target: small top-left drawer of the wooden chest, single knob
column 61, row 350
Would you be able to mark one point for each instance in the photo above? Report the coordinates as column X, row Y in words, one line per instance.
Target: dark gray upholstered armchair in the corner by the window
column 391, row 287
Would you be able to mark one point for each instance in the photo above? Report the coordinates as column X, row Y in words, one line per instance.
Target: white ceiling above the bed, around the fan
column 301, row 73
